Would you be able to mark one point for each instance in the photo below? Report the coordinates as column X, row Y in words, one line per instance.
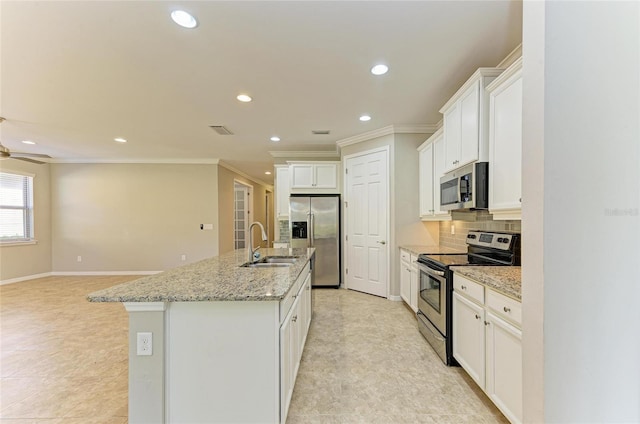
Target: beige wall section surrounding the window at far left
column 21, row 261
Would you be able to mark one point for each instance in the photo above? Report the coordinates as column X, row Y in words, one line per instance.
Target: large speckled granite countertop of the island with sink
column 215, row 279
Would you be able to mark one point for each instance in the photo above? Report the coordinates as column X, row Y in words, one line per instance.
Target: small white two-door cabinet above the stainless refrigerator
column 314, row 176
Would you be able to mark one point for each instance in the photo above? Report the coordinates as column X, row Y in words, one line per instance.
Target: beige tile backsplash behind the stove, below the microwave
column 463, row 222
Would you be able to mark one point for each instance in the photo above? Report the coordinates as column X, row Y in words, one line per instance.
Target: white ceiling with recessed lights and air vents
column 77, row 74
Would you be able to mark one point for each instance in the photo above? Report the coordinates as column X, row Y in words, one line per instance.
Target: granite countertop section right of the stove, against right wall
column 503, row 279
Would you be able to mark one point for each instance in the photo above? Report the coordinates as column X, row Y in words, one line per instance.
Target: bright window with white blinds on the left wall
column 16, row 207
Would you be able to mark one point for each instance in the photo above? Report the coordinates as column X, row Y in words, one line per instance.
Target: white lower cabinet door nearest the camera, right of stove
column 504, row 367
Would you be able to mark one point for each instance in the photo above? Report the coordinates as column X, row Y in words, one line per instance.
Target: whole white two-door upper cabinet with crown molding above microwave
column 465, row 120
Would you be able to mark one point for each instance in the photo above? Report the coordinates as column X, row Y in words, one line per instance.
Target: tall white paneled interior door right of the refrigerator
column 367, row 214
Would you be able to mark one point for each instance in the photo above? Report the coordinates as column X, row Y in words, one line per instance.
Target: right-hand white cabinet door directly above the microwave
column 469, row 125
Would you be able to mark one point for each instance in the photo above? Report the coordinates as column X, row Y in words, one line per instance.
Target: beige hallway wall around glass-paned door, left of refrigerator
column 226, row 179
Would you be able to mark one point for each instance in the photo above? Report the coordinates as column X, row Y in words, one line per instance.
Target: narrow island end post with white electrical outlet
column 146, row 373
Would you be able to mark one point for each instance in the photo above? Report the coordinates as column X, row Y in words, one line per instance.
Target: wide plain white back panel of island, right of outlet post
column 223, row 362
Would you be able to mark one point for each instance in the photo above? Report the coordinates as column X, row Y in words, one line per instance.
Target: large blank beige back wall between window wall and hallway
column 132, row 217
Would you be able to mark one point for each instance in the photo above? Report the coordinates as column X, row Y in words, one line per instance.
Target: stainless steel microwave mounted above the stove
column 465, row 188
